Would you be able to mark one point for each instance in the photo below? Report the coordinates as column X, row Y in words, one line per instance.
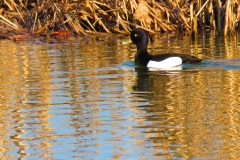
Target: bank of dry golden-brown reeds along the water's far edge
column 64, row 17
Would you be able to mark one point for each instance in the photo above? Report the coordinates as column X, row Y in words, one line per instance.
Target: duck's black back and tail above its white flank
column 185, row 58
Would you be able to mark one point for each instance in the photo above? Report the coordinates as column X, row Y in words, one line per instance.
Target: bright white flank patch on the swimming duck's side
column 165, row 64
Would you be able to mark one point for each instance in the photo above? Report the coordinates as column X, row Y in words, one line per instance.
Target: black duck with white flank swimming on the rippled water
column 140, row 37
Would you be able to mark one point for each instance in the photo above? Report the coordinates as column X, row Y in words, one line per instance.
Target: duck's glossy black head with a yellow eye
column 139, row 37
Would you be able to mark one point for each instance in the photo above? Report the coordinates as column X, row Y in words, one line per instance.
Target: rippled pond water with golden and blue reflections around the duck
column 86, row 99
